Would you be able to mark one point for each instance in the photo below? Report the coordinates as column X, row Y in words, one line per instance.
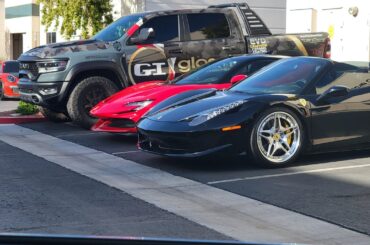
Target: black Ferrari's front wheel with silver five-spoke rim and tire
column 270, row 148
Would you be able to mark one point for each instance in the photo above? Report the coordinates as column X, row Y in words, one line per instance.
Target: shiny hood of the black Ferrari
column 185, row 110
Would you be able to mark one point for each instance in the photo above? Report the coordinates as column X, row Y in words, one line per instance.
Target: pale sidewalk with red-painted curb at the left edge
column 8, row 114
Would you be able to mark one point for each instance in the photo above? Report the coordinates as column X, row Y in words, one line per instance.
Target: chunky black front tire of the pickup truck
column 85, row 96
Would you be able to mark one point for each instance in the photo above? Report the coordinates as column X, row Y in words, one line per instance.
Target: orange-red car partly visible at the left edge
column 9, row 71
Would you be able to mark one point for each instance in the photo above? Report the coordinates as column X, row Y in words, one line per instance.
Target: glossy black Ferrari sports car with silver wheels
column 295, row 105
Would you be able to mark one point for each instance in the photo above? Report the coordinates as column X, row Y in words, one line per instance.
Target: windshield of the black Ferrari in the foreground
column 288, row 76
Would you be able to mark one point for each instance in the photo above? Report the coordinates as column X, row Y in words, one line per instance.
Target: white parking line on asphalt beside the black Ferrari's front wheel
column 287, row 174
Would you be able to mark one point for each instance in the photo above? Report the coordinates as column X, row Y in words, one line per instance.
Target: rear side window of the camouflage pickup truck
column 208, row 26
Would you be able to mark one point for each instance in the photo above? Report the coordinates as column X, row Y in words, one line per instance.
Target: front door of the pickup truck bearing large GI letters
column 155, row 58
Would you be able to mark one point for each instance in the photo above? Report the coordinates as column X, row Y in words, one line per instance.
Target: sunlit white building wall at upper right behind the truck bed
column 350, row 35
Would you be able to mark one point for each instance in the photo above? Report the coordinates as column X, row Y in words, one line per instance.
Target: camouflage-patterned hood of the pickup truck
column 62, row 49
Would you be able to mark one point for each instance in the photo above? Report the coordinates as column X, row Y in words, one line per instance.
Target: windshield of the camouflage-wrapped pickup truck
column 118, row 28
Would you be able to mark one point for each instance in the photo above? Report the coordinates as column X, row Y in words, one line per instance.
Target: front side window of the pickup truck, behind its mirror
column 166, row 29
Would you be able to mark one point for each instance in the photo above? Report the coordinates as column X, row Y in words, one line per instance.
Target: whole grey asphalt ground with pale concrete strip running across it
column 58, row 178
